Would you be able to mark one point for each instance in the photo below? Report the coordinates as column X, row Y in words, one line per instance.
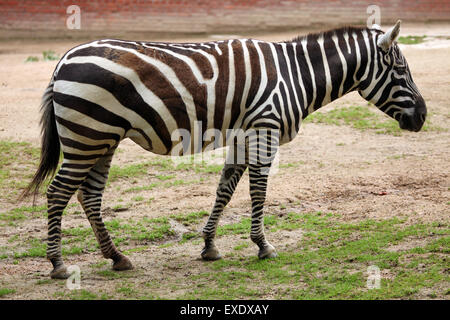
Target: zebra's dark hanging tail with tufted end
column 50, row 145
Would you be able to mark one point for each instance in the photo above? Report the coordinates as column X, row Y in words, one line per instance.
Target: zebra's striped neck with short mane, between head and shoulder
column 333, row 64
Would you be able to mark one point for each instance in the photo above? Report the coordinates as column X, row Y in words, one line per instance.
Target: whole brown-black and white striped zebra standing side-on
column 105, row 91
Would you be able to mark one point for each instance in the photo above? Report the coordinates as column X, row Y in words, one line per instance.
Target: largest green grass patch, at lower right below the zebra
column 331, row 261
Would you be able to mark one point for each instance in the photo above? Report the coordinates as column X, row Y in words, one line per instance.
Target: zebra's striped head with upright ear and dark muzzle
column 391, row 87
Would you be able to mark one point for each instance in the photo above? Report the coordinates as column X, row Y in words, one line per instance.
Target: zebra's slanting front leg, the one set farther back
column 231, row 174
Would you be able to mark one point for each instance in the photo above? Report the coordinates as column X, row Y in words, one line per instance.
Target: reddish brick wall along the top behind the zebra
column 202, row 16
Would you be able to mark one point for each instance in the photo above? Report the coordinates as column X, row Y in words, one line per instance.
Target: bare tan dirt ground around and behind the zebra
column 358, row 173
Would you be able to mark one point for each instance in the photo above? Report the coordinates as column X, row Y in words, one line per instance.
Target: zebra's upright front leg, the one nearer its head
column 258, row 186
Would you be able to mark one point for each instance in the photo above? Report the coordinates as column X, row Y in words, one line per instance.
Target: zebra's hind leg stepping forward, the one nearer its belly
column 90, row 198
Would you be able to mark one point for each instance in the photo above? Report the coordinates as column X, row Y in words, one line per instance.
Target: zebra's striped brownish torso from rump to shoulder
column 147, row 91
